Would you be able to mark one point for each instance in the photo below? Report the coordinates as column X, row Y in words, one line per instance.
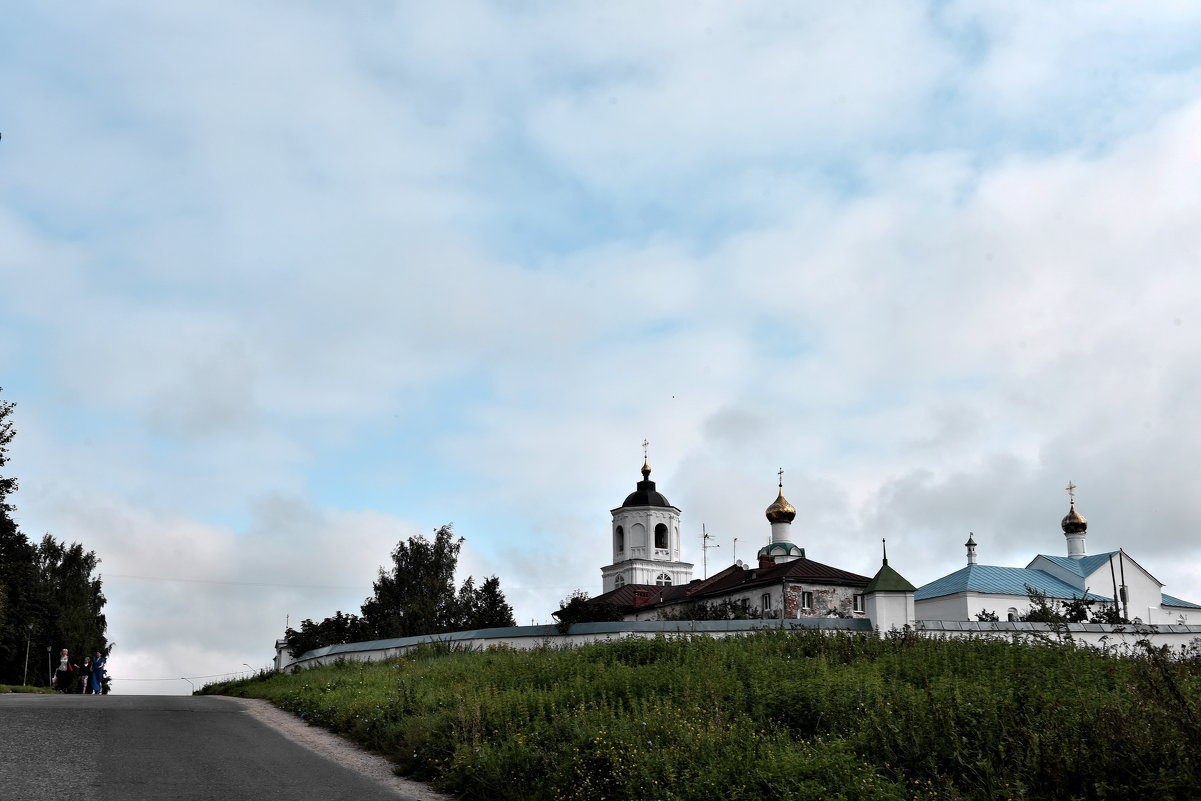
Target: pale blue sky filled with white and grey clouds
column 283, row 284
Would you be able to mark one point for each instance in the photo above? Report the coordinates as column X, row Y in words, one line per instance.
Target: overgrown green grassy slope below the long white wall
column 770, row 716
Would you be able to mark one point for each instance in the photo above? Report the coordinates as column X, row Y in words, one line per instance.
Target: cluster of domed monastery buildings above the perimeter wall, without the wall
column 649, row 581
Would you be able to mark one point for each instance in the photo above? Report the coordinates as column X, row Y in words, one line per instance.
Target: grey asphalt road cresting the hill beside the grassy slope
column 158, row 748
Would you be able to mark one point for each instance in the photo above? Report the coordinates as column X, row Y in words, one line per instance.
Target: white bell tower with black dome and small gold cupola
column 646, row 540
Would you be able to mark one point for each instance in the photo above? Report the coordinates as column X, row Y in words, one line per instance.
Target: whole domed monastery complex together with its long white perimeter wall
column 650, row 584
